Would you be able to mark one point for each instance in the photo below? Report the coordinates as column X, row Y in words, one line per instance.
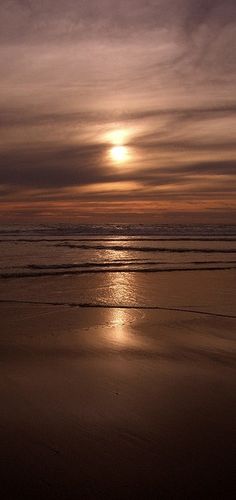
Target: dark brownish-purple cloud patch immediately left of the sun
column 56, row 167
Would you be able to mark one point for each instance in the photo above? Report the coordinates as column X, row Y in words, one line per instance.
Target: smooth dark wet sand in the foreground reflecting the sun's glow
column 115, row 403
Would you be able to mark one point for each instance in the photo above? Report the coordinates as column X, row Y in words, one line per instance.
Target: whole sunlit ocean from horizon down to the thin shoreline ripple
column 119, row 265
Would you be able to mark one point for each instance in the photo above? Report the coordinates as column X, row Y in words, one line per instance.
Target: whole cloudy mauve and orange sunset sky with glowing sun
column 118, row 111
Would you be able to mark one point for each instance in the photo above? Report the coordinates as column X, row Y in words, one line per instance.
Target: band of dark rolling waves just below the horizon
column 78, row 249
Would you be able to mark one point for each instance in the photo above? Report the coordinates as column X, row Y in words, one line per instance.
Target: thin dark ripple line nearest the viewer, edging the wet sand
column 119, row 306
